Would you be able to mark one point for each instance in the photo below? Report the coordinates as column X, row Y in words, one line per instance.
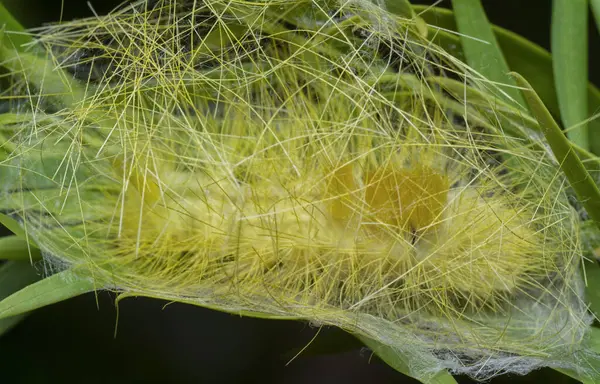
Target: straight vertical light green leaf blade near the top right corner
column 569, row 53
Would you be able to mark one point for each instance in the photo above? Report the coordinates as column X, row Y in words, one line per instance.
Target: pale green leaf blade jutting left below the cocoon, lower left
column 53, row 289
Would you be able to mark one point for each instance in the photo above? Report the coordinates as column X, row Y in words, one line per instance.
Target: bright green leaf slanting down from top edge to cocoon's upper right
column 484, row 55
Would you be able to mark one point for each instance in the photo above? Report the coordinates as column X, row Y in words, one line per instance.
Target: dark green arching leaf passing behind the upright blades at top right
column 533, row 62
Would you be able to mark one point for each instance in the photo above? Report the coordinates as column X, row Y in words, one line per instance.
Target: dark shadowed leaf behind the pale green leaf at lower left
column 14, row 275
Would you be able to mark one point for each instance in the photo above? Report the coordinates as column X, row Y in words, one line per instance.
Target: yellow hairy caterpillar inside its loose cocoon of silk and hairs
column 305, row 159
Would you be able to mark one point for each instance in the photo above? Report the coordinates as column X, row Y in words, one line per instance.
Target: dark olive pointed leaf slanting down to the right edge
column 581, row 181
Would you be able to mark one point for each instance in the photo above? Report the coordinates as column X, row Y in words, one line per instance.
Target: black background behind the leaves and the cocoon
column 75, row 342
